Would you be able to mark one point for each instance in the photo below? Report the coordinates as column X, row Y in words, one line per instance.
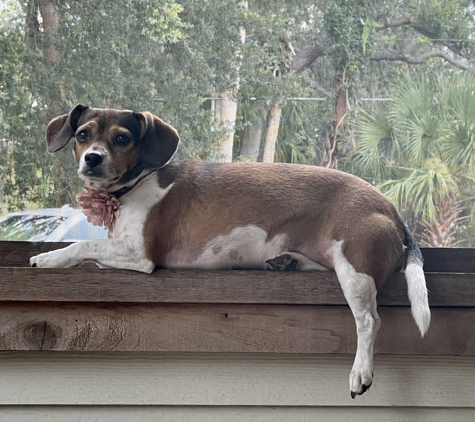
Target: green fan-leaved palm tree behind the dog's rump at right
column 421, row 153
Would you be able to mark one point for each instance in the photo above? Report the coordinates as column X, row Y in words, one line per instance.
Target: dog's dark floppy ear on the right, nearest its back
column 158, row 140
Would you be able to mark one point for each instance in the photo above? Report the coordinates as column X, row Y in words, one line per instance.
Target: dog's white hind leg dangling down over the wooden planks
column 360, row 292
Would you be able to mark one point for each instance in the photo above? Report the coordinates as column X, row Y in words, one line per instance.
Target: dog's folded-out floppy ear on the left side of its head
column 61, row 129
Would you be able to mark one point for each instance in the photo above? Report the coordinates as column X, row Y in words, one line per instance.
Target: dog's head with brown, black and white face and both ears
column 113, row 146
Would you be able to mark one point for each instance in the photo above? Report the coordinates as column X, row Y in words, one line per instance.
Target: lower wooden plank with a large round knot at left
column 226, row 328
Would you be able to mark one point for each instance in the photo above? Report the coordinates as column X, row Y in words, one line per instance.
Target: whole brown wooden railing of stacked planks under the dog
column 88, row 309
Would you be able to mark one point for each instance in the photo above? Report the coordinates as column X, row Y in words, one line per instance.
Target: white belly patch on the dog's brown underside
column 245, row 247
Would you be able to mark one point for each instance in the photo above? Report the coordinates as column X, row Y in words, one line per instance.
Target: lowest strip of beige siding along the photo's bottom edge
column 231, row 414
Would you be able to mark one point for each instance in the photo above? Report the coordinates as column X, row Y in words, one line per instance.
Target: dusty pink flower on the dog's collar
column 100, row 207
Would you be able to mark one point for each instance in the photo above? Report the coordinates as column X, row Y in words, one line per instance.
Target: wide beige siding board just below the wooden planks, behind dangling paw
column 46, row 378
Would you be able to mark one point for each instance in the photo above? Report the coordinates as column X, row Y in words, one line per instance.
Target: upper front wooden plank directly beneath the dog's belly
column 90, row 284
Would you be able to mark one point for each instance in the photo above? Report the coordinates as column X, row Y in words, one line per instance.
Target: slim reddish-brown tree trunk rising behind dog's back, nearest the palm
column 330, row 159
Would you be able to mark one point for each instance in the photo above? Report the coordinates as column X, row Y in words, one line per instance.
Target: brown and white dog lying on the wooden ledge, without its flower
column 239, row 215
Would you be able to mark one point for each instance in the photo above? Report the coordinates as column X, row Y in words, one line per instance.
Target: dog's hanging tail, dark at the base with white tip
column 416, row 283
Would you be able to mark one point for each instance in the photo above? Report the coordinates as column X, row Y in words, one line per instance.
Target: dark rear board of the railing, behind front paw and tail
column 462, row 260
